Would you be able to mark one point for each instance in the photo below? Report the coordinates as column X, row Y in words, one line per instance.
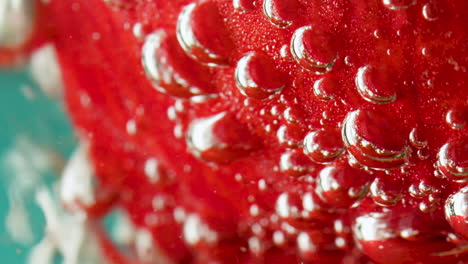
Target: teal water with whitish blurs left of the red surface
column 35, row 140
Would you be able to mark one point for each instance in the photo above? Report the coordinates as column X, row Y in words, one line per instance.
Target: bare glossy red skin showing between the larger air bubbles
column 108, row 70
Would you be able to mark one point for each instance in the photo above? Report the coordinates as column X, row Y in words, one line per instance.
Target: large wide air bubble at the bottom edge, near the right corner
column 386, row 233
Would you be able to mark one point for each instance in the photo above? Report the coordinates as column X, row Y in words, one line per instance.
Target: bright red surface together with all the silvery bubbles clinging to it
column 274, row 131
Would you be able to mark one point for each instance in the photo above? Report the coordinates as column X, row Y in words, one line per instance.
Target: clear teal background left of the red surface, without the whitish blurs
column 43, row 121
